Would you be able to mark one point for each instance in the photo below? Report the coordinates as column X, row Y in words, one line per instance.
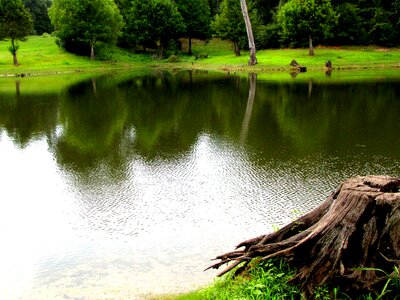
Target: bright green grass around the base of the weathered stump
column 269, row 280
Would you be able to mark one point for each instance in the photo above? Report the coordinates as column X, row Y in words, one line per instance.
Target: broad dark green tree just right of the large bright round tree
column 154, row 21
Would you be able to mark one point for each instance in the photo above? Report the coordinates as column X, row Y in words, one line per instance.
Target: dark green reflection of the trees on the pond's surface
column 106, row 122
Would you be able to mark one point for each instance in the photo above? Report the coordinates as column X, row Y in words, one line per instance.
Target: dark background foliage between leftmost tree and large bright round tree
column 38, row 10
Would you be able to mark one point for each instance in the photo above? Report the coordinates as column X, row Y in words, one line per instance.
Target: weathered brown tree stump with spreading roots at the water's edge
column 355, row 231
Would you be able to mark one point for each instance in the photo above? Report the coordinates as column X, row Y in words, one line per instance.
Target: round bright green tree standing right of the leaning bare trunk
column 306, row 18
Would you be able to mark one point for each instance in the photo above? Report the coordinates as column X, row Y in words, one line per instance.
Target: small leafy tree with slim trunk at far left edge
column 15, row 24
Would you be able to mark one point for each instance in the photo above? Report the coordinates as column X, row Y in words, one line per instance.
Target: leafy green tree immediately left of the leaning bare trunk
column 229, row 24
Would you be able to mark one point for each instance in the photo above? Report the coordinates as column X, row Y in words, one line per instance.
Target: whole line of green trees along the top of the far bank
column 82, row 26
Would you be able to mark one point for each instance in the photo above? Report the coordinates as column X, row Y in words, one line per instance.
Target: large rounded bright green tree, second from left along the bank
column 86, row 21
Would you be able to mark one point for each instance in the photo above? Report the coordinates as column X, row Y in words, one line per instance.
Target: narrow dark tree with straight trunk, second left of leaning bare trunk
column 197, row 17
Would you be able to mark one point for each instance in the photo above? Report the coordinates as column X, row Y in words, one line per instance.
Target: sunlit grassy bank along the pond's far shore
column 40, row 55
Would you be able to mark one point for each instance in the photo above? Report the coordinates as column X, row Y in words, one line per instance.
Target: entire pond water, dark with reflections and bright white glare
column 121, row 186
